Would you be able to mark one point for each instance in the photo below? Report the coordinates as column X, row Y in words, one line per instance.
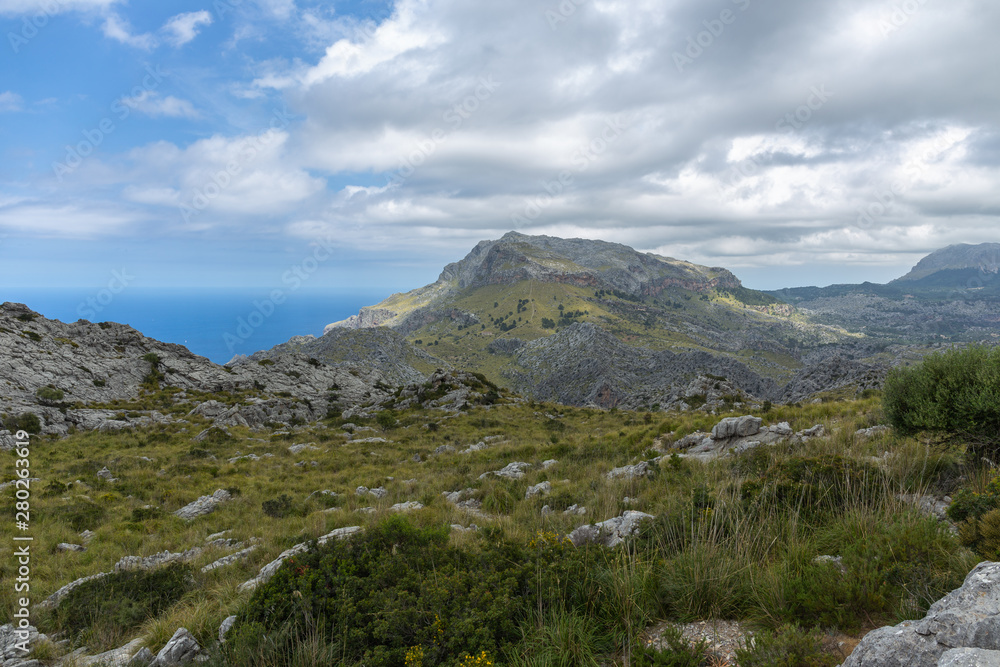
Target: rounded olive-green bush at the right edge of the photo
column 957, row 392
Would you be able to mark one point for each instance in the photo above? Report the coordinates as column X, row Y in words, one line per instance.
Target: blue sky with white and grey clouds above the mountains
column 364, row 144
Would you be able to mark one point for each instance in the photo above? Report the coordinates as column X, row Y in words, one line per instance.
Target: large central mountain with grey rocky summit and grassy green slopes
column 590, row 322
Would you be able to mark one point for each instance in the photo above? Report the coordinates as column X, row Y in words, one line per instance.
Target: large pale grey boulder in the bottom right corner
column 965, row 618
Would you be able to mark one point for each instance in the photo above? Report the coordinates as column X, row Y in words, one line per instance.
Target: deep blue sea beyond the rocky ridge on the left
column 212, row 323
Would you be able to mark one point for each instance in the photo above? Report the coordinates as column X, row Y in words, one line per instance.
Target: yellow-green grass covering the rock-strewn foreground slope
column 733, row 539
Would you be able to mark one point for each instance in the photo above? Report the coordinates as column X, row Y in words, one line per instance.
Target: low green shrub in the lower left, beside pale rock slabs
column 108, row 609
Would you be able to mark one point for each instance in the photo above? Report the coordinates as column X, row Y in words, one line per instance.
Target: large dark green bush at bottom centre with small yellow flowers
column 395, row 587
